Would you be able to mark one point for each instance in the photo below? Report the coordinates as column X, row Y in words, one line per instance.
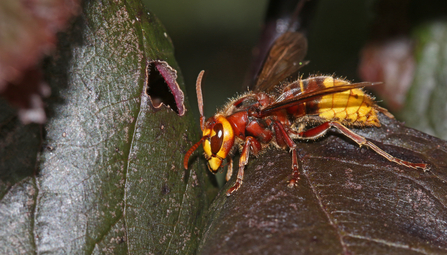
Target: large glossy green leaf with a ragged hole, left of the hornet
column 108, row 176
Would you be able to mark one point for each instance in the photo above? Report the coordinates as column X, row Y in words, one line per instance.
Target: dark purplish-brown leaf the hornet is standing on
column 349, row 200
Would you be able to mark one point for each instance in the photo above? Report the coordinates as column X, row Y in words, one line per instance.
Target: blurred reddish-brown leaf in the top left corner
column 28, row 32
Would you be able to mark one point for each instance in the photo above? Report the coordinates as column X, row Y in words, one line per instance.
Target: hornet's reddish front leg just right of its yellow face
column 250, row 144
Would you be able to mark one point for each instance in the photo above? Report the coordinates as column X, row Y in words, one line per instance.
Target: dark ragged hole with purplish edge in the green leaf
column 162, row 87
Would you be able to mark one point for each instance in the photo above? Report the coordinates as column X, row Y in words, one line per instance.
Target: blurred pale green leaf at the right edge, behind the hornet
column 425, row 106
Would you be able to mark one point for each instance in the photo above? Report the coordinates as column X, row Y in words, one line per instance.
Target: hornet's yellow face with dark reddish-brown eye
column 219, row 143
